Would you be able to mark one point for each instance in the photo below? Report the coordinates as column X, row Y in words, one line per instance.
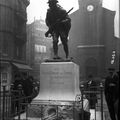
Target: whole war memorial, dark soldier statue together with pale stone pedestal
column 59, row 78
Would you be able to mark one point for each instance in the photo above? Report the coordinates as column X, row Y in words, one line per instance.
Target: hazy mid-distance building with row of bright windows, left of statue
column 38, row 46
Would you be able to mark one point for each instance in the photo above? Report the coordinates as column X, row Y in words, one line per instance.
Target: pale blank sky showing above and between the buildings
column 37, row 9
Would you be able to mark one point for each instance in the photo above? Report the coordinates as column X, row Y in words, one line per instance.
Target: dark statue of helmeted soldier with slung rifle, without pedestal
column 60, row 29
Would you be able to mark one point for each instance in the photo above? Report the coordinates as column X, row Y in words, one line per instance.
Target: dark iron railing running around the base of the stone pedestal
column 14, row 104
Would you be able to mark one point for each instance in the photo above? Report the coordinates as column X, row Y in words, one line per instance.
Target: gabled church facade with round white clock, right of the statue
column 91, row 40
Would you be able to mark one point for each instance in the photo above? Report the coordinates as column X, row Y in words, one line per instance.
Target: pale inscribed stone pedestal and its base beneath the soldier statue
column 59, row 86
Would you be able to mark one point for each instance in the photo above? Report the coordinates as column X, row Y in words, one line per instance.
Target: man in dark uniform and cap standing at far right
column 111, row 92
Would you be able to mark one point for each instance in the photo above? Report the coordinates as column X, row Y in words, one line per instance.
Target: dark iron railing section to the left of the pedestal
column 12, row 103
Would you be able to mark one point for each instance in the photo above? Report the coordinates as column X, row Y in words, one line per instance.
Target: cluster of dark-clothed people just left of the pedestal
column 27, row 87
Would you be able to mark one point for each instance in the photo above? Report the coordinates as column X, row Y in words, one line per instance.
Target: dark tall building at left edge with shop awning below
column 13, row 18
